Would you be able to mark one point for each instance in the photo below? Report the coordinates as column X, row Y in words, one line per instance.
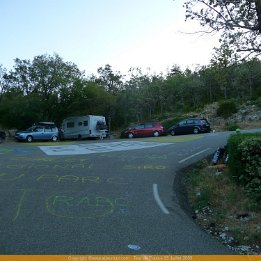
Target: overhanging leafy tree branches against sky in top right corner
column 238, row 20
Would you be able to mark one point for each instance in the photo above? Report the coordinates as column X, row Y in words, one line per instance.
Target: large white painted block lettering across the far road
column 81, row 149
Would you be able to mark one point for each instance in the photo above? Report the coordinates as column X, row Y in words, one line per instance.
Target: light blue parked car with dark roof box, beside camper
column 42, row 131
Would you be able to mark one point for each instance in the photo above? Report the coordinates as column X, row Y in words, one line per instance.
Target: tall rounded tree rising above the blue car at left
column 45, row 77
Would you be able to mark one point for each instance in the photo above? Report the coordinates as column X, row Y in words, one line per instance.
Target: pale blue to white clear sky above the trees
column 92, row 33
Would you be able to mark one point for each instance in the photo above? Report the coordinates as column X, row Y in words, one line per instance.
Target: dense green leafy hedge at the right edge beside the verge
column 245, row 163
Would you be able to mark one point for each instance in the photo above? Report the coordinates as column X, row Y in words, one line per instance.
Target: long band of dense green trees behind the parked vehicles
column 50, row 89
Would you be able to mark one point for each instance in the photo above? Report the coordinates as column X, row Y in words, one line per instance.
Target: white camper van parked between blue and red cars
column 81, row 127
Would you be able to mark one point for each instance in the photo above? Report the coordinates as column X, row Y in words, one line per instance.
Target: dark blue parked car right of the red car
column 193, row 125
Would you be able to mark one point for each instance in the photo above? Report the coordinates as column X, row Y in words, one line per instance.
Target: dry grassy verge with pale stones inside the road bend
column 222, row 207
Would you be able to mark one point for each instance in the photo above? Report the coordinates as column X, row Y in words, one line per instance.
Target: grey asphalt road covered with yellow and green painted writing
column 102, row 197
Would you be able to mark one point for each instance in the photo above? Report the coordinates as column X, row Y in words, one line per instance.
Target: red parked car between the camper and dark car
column 145, row 129
